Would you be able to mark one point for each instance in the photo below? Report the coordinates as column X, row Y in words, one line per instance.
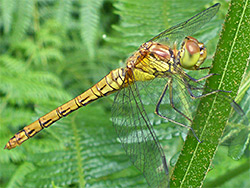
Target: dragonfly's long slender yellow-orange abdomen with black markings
column 112, row 82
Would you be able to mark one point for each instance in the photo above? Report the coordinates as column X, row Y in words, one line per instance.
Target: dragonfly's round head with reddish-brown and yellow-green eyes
column 192, row 53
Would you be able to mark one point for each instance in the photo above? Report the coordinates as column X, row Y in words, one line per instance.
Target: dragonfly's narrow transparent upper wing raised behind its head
column 179, row 32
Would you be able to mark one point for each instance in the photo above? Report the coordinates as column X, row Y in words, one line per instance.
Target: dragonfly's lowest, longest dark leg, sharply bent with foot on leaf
column 169, row 119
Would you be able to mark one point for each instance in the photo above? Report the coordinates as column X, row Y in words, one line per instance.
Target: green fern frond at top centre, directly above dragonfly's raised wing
column 141, row 20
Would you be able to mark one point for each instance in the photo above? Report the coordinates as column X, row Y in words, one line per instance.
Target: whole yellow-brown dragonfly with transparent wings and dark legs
column 161, row 61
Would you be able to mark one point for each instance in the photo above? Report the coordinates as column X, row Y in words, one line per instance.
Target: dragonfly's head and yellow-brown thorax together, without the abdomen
column 154, row 59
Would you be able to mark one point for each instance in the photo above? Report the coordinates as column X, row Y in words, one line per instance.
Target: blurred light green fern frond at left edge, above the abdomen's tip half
column 21, row 90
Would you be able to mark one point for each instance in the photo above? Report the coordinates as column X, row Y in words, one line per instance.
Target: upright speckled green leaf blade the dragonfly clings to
column 230, row 62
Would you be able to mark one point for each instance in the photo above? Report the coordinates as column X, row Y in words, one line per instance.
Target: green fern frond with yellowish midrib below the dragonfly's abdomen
column 87, row 158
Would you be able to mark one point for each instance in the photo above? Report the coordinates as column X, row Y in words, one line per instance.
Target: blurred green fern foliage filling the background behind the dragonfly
column 52, row 51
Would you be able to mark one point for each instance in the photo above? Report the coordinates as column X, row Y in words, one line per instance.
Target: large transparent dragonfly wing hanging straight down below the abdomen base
column 138, row 137
